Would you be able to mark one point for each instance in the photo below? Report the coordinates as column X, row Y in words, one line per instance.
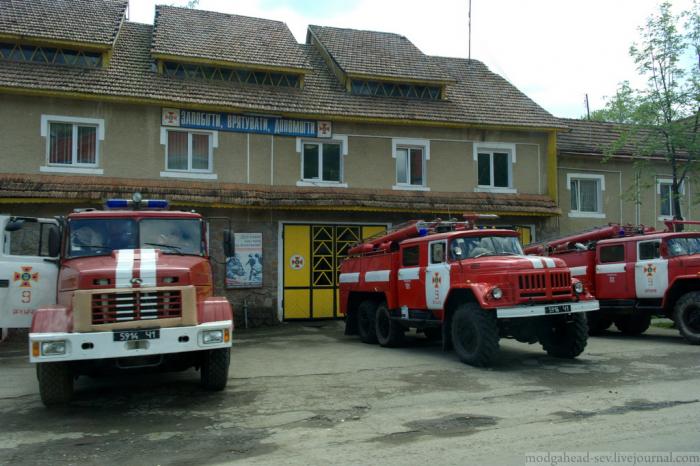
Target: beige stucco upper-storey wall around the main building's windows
column 133, row 139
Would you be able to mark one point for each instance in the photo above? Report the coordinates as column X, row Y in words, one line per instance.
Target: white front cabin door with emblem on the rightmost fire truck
column 650, row 270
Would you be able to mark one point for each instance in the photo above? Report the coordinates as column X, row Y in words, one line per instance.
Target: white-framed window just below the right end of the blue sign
column 322, row 161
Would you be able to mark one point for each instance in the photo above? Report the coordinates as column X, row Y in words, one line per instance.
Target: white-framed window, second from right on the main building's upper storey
column 411, row 157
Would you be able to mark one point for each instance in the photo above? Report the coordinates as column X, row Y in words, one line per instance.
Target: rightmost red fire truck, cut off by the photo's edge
column 636, row 273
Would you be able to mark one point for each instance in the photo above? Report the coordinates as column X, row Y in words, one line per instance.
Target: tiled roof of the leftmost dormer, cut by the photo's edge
column 87, row 21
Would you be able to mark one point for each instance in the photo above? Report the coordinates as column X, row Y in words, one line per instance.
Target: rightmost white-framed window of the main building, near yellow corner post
column 494, row 167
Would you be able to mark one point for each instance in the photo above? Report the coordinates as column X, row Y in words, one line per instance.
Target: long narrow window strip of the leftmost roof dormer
column 49, row 55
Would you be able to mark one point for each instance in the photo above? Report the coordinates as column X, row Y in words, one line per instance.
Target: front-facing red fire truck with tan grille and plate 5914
column 134, row 292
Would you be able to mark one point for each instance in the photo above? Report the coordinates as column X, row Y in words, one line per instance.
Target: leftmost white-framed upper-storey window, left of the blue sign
column 72, row 144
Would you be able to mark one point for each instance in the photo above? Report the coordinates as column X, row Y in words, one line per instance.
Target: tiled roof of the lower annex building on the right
column 599, row 138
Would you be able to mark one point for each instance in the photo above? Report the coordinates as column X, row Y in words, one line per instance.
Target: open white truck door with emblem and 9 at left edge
column 27, row 279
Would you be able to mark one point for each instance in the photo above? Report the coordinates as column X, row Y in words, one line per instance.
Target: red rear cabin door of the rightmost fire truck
column 611, row 272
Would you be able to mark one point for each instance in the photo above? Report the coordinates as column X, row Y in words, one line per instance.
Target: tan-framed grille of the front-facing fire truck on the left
column 108, row 308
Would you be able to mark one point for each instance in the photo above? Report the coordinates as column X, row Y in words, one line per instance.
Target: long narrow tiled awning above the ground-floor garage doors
column 274, row 197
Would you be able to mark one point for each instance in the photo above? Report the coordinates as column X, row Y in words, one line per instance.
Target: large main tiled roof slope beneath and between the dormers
column 478, row 97
